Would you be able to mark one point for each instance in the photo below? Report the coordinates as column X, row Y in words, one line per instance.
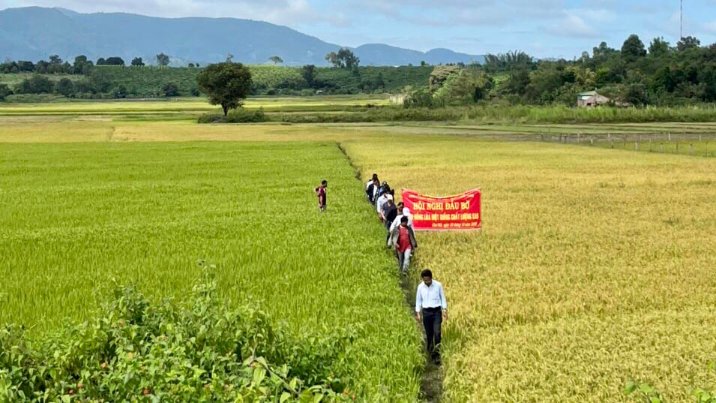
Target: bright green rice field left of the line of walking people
column 79, row 218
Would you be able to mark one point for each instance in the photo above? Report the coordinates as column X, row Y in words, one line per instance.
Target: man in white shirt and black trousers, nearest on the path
column 430, row 303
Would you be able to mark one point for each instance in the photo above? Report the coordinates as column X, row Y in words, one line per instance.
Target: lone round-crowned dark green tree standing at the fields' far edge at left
column 226, row 84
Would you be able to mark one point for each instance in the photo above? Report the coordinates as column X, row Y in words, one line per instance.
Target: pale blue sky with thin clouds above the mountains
column 542, row 28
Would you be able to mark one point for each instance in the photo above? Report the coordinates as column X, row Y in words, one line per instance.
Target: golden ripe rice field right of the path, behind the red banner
column 594, row 266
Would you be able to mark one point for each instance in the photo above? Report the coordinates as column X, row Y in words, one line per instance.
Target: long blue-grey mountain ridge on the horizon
column 34, row 33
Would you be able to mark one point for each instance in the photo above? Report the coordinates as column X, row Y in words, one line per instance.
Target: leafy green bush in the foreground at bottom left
column 137, row 351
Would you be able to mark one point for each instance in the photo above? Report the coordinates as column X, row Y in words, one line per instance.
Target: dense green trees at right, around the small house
column 635, row 74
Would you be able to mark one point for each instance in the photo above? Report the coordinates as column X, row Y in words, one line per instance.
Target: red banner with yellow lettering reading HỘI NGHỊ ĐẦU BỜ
column 461, row 212
